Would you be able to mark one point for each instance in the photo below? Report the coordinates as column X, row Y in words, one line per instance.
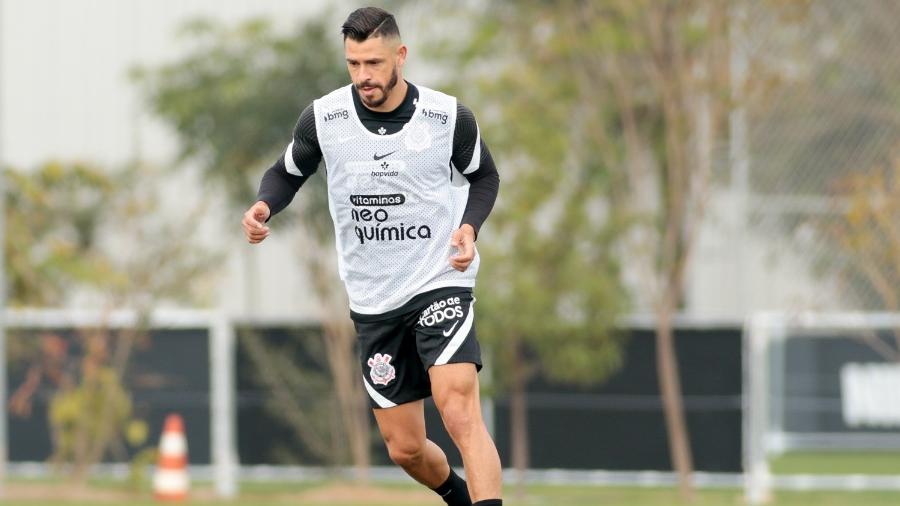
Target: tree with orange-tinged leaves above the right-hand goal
column 842, row 163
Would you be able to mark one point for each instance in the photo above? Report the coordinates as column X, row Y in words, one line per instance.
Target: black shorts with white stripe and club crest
column 397, row 348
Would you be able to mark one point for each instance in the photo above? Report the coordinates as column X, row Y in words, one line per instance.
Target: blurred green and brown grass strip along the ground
column 117, row 493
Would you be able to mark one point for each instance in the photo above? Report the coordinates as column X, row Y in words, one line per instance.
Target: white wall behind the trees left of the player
column 65, row 94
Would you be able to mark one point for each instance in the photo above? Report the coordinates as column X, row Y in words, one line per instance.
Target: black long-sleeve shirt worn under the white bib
column 278, row 186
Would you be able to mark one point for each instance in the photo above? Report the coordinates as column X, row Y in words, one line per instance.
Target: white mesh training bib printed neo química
column 393, row 201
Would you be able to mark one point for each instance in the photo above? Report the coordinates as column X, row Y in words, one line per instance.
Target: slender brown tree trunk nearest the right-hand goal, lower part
column 673, row 408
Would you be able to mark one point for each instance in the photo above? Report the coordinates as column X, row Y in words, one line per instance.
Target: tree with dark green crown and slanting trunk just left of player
column 233, row 101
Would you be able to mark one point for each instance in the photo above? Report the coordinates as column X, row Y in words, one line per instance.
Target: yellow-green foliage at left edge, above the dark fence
column 63, row 221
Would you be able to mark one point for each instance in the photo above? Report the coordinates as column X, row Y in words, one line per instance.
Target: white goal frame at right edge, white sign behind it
column 865, row 422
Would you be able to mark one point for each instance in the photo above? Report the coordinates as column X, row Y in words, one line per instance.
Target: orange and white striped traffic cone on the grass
column 170, row 481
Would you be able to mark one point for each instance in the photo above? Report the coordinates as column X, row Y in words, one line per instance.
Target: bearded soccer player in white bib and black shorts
column 410, row 181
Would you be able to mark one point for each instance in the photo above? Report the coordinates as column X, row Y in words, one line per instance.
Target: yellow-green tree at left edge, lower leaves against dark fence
column 64, row 221
